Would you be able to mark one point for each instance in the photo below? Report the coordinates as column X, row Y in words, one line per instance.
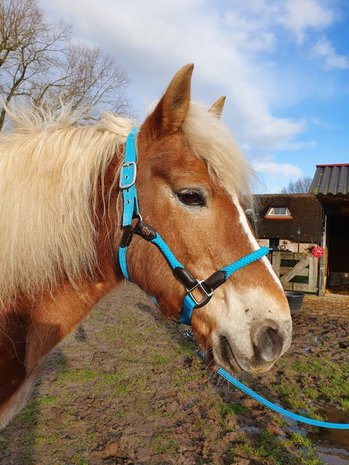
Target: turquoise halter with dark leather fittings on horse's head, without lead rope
column 203, row 289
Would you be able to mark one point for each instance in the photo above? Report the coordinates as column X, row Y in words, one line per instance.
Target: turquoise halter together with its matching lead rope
column 131, row 211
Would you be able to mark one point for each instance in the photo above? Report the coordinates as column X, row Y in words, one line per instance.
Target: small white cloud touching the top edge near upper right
column 303, row 15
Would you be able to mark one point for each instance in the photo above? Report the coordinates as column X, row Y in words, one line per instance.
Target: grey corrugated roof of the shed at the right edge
column 331, row 179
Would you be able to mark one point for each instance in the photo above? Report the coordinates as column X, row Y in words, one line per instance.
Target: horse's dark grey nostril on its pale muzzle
column 268, row 343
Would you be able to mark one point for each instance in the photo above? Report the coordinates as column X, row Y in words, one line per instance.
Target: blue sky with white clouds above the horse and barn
column 283, row 65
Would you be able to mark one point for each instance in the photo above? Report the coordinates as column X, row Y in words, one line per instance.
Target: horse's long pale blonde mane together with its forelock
column 50, row 168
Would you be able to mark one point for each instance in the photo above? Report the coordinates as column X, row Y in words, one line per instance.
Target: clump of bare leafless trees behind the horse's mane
column 37, row 61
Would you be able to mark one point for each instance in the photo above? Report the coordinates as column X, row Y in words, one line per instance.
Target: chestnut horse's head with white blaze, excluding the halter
column 190, row 181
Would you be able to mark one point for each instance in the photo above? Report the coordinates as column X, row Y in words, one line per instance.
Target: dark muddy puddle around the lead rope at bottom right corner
column 332, row 444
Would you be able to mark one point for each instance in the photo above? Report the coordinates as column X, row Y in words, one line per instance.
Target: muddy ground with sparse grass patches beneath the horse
column 127, row 388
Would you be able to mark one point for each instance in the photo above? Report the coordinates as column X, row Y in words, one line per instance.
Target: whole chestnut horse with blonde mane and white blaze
column 61, row 205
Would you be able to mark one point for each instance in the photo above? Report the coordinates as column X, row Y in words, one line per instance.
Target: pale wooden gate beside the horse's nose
column 296, row 271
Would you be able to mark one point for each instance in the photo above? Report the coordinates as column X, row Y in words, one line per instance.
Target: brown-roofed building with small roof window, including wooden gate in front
column 290, row 225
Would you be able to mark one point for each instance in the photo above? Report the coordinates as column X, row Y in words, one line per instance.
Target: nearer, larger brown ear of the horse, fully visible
column 173, row 107
